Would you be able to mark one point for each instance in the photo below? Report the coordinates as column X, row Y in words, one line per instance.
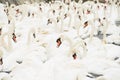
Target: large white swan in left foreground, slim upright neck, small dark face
column 24, row 54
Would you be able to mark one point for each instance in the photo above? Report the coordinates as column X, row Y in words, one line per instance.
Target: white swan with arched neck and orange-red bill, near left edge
column 6, row 48
